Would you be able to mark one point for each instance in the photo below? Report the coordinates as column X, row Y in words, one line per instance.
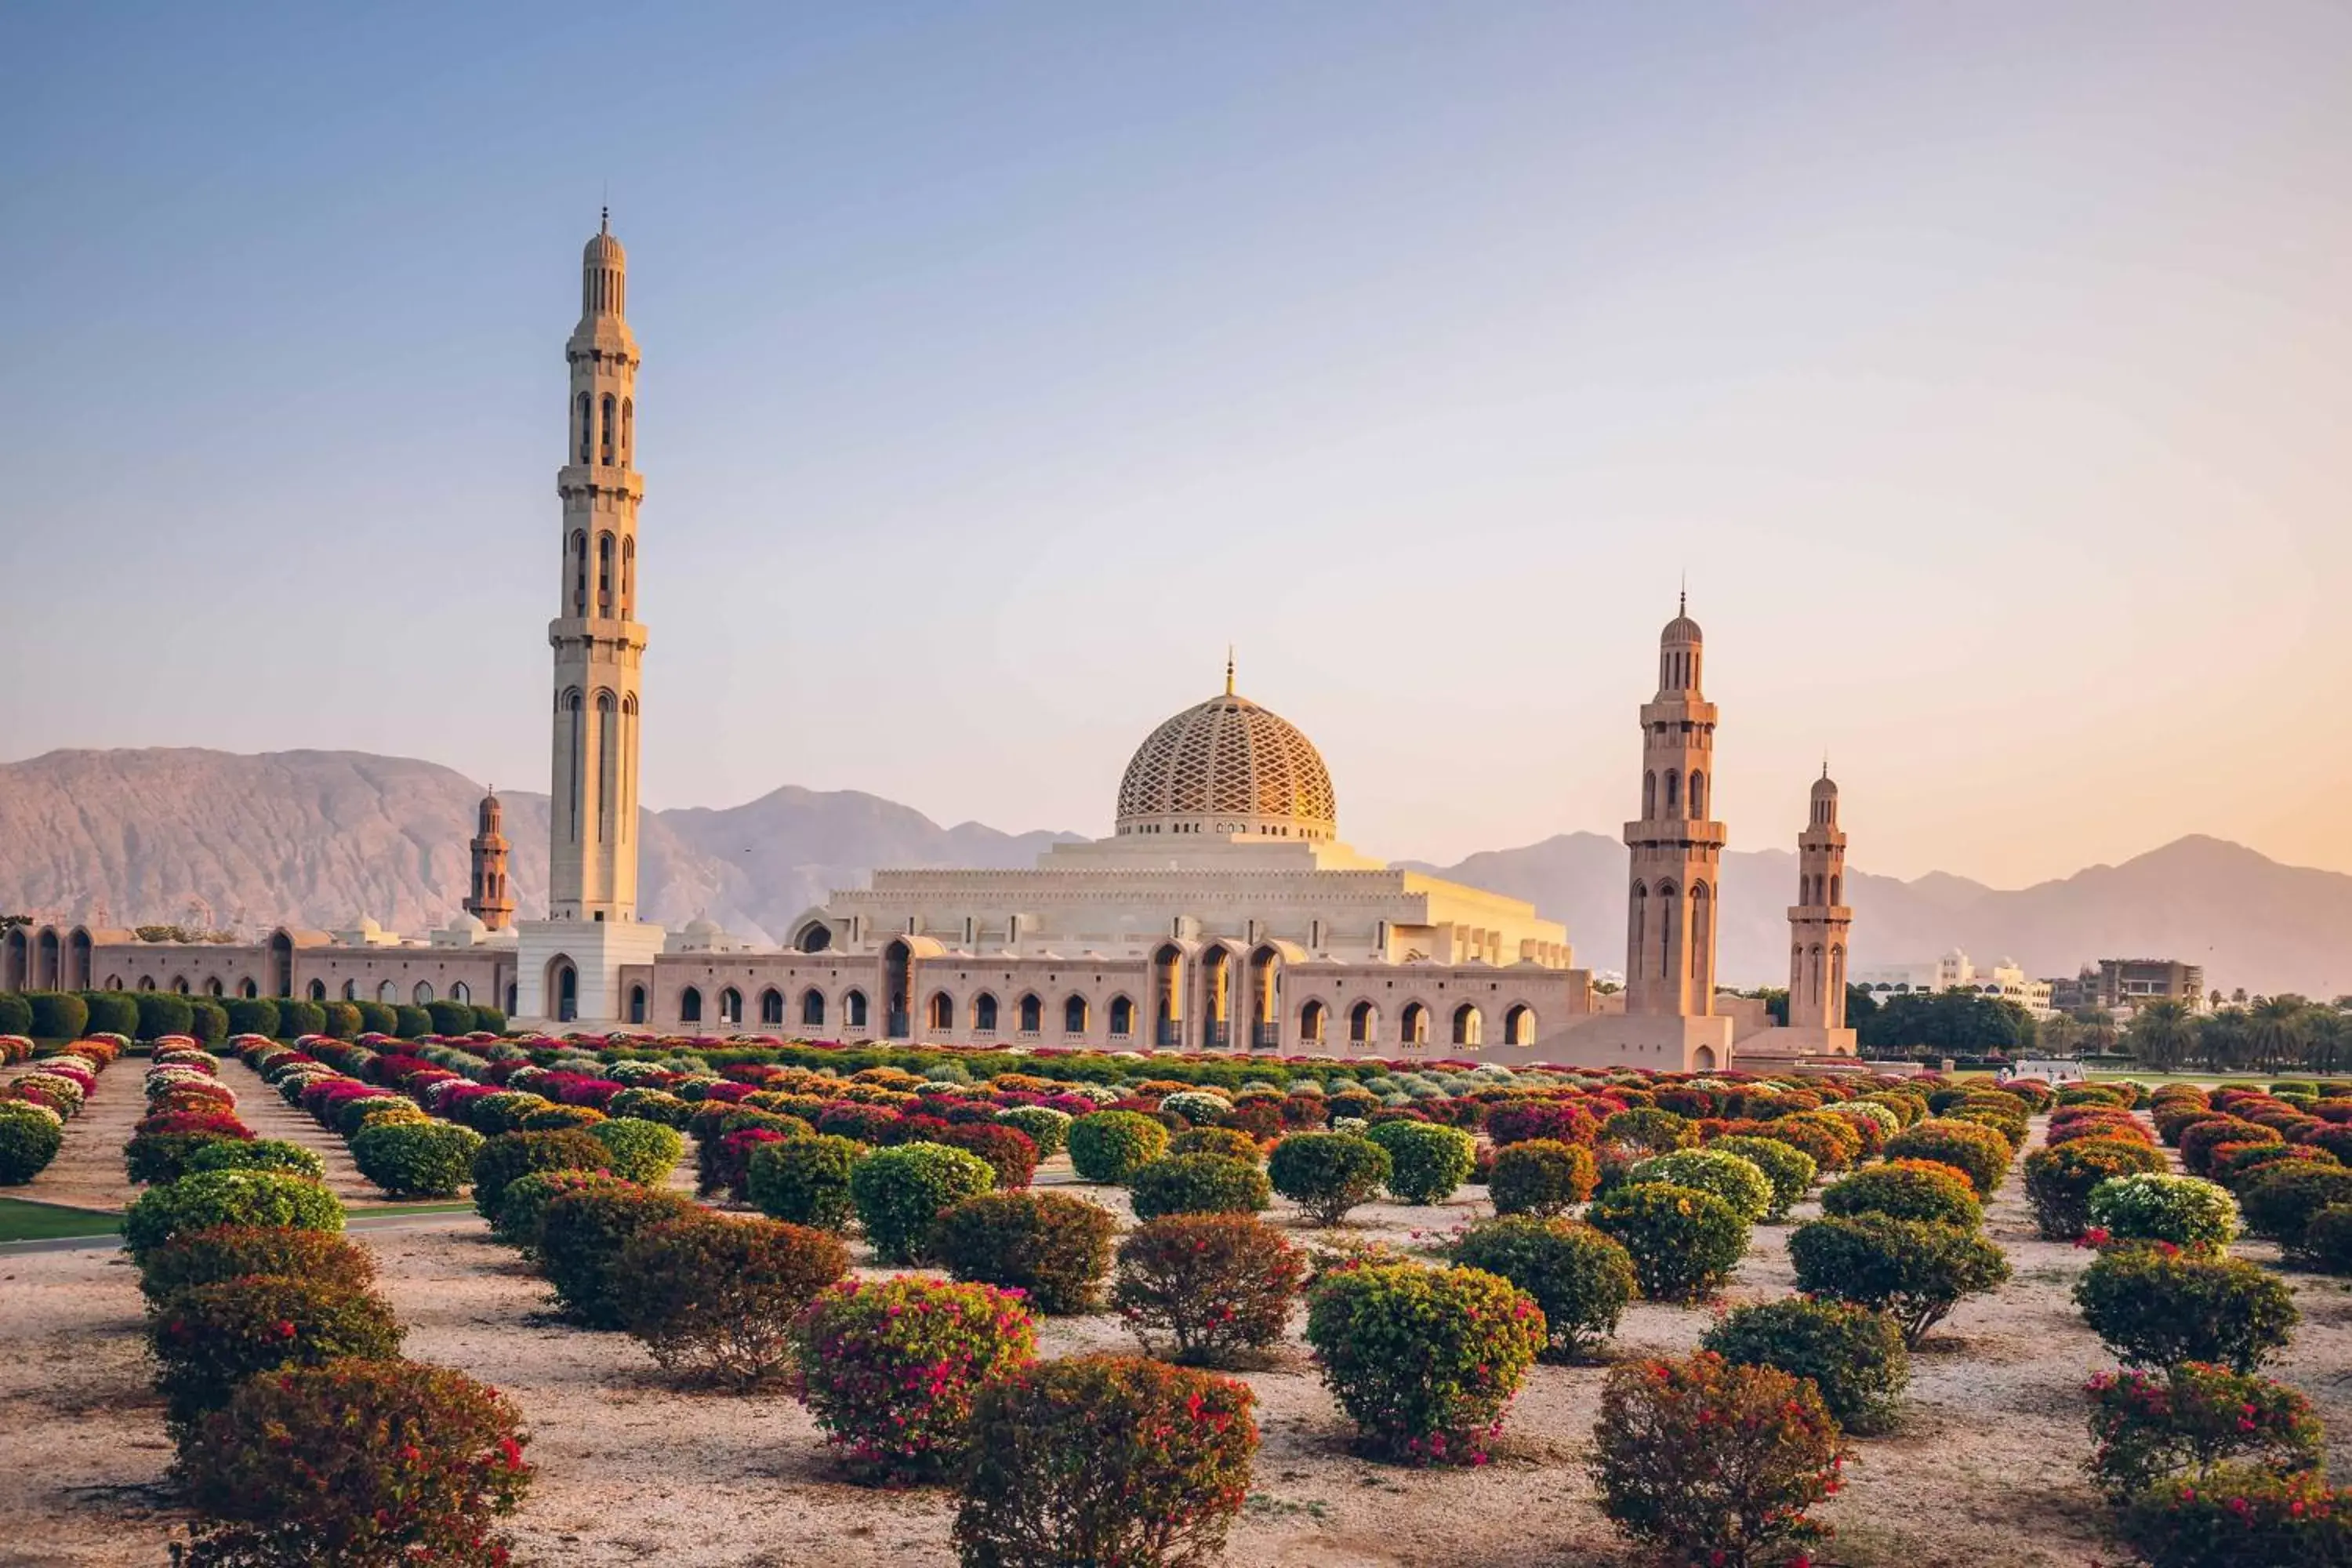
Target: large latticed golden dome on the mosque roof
column 1229, row 768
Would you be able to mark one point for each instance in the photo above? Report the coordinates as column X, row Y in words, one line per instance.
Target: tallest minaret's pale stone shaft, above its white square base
column 596, row 634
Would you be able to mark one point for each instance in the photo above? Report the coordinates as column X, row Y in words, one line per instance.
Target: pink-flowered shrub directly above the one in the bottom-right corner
column 2181, row 1423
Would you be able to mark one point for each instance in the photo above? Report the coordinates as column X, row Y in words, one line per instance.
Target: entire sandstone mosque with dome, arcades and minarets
column 1224, row 911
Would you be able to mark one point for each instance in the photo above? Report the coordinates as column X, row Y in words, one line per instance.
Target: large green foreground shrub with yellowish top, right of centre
column 1424, row 1360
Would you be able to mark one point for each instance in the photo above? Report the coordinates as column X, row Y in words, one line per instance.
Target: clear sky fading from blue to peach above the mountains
column 1986, row 368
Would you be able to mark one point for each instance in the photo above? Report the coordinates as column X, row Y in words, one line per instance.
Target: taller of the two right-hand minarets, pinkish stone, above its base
column 1676, row 845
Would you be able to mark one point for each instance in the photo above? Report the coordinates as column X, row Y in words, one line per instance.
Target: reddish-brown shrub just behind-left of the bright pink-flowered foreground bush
column 714, row 1299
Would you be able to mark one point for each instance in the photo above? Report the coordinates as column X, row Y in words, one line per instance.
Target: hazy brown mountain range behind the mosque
column 321, row 838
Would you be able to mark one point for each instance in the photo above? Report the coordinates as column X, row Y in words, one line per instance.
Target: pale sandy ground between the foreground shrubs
column 1984, row 1470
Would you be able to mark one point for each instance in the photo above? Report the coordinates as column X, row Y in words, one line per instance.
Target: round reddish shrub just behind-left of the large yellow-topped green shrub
column 1217, row 1285
